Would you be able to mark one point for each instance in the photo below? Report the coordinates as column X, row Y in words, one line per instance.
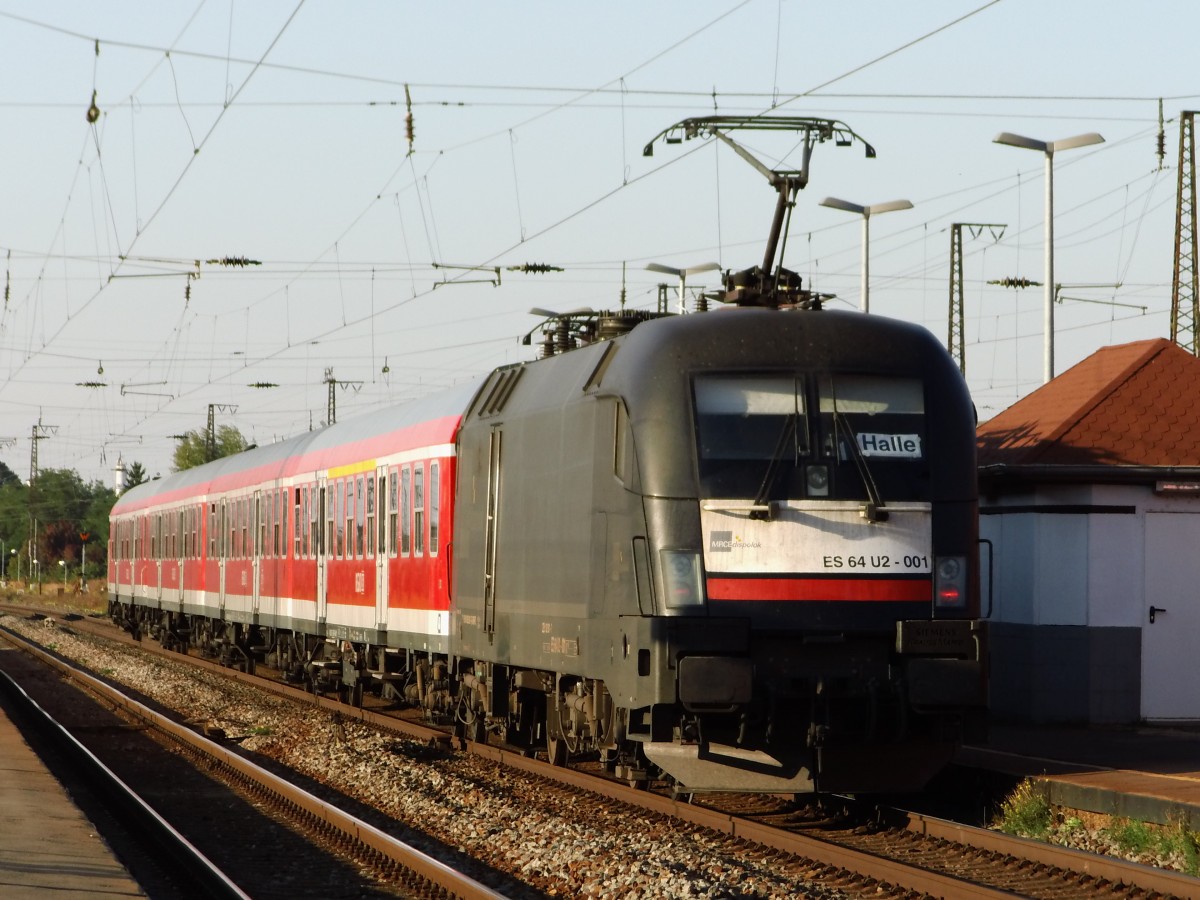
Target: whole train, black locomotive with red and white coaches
column 736, row 550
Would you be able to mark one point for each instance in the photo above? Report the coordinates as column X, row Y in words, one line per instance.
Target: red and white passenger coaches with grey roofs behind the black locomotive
column 344, row 533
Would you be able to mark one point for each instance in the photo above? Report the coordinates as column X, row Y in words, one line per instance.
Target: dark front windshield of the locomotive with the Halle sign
column 779, row 437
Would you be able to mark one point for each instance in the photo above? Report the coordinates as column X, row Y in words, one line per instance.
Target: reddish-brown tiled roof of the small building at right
column 1132, row 405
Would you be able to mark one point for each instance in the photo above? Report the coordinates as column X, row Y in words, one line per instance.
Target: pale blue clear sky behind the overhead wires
column 274, row 131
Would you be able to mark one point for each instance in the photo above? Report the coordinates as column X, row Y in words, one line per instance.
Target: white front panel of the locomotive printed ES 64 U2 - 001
column 815, row 538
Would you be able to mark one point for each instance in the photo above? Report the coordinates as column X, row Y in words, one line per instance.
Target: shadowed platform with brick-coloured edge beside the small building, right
column 1150, row 775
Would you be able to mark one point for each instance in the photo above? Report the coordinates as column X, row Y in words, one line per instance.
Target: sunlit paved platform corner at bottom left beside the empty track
column 47, row 847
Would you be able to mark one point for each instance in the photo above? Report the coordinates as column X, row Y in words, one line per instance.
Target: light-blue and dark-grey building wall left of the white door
column 1069, row 602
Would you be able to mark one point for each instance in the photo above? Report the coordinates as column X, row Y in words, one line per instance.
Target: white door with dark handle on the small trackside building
column 1171, row 625
